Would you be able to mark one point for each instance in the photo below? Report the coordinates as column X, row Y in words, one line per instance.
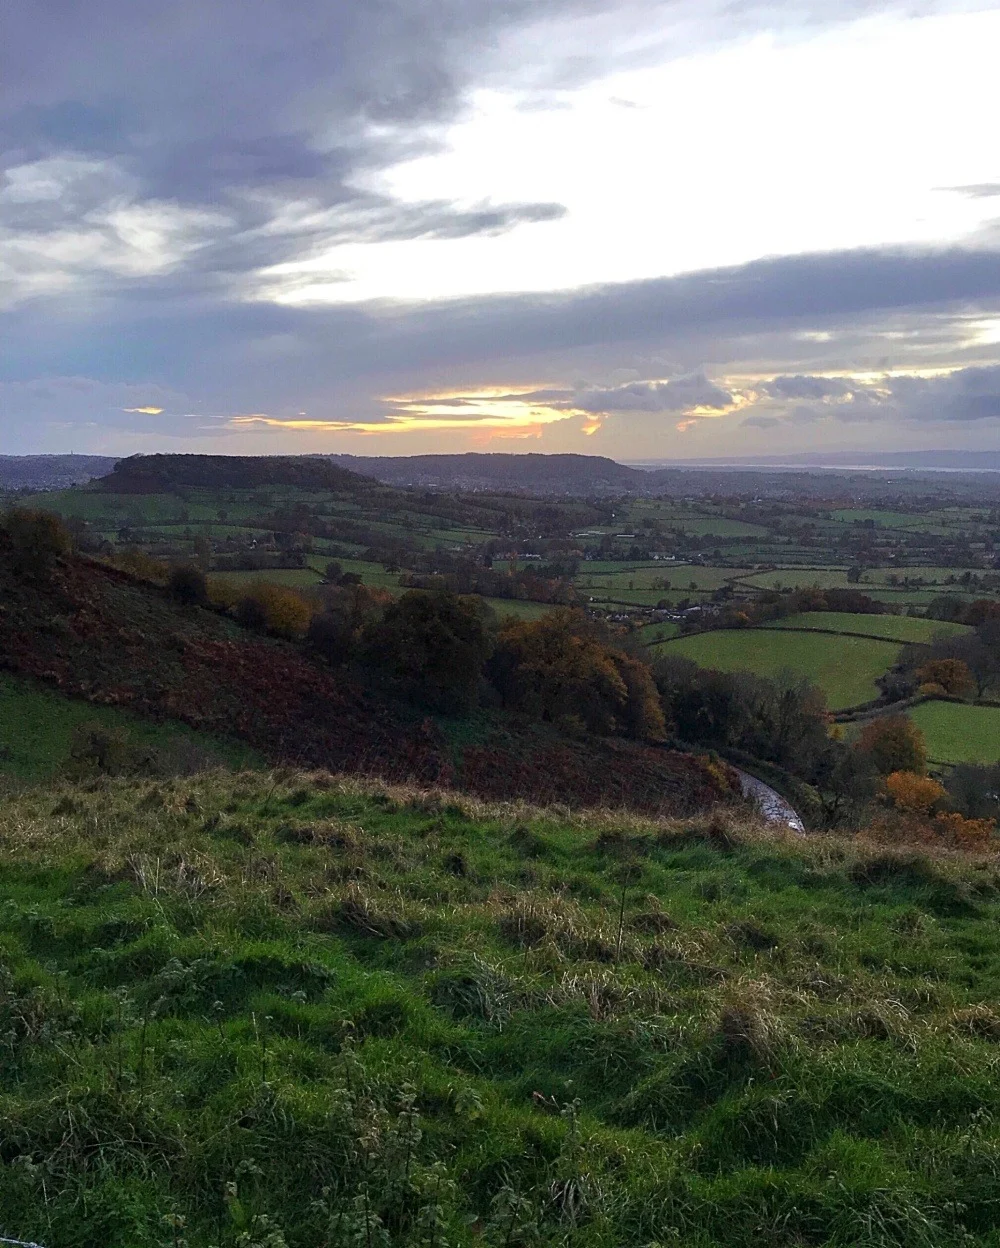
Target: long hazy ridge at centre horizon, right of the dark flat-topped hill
column 537, row 474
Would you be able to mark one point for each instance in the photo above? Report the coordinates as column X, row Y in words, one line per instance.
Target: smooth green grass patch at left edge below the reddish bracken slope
column 38, row 729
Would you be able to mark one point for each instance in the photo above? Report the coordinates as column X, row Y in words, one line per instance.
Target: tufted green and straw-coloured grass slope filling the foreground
column 298, row 1010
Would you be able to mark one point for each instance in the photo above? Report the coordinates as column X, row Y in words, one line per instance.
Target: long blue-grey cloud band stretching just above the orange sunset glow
column 267, row 354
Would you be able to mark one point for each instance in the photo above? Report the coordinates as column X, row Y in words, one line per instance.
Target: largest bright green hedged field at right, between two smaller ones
column 845, row 668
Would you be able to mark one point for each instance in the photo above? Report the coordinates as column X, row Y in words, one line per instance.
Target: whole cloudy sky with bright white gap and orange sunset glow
column 642, row 229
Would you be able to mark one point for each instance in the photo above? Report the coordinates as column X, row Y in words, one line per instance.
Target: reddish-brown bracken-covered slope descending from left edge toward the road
column 98, row 635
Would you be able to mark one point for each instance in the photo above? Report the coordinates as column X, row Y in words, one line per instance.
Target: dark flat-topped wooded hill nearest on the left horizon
column 162, row 475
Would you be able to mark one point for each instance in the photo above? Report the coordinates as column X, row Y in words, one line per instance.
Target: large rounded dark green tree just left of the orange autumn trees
column 434, row 646
